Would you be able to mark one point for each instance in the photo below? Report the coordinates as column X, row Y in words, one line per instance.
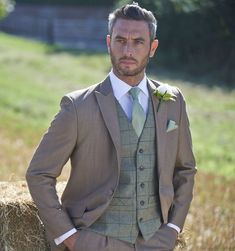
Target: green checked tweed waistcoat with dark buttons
column 135, row 206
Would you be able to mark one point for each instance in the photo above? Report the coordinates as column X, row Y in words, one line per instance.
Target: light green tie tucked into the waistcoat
column 138, row 114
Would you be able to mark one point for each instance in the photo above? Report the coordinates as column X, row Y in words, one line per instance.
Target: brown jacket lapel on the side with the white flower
column 161, row 122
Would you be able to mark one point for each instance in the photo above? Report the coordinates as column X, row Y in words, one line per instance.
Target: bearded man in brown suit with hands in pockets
column 132, row 166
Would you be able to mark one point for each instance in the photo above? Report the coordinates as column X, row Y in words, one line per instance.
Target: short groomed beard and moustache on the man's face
column 125, row 71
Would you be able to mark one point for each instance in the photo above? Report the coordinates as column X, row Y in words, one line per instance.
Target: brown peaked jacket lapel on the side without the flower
column 106, row 102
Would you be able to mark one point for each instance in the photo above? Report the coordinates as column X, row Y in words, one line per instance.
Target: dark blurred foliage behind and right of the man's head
column 195, row 36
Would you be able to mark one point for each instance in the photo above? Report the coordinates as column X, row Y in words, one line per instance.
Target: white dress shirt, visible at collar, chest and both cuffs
column 120, row 91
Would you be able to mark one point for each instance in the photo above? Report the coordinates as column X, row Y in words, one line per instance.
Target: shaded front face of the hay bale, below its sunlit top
column 21, row 228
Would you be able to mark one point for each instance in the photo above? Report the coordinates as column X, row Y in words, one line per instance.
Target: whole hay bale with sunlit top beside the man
column 20, row 226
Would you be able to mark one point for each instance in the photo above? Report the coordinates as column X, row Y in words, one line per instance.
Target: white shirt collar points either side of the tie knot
column 120, row 88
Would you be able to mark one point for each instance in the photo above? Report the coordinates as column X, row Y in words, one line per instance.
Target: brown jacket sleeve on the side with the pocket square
column 185, row 169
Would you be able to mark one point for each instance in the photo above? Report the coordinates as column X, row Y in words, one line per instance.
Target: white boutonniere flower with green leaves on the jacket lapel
column 164, row 93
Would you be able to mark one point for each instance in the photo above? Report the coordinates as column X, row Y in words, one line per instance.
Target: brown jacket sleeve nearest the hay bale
column 46, row 165
